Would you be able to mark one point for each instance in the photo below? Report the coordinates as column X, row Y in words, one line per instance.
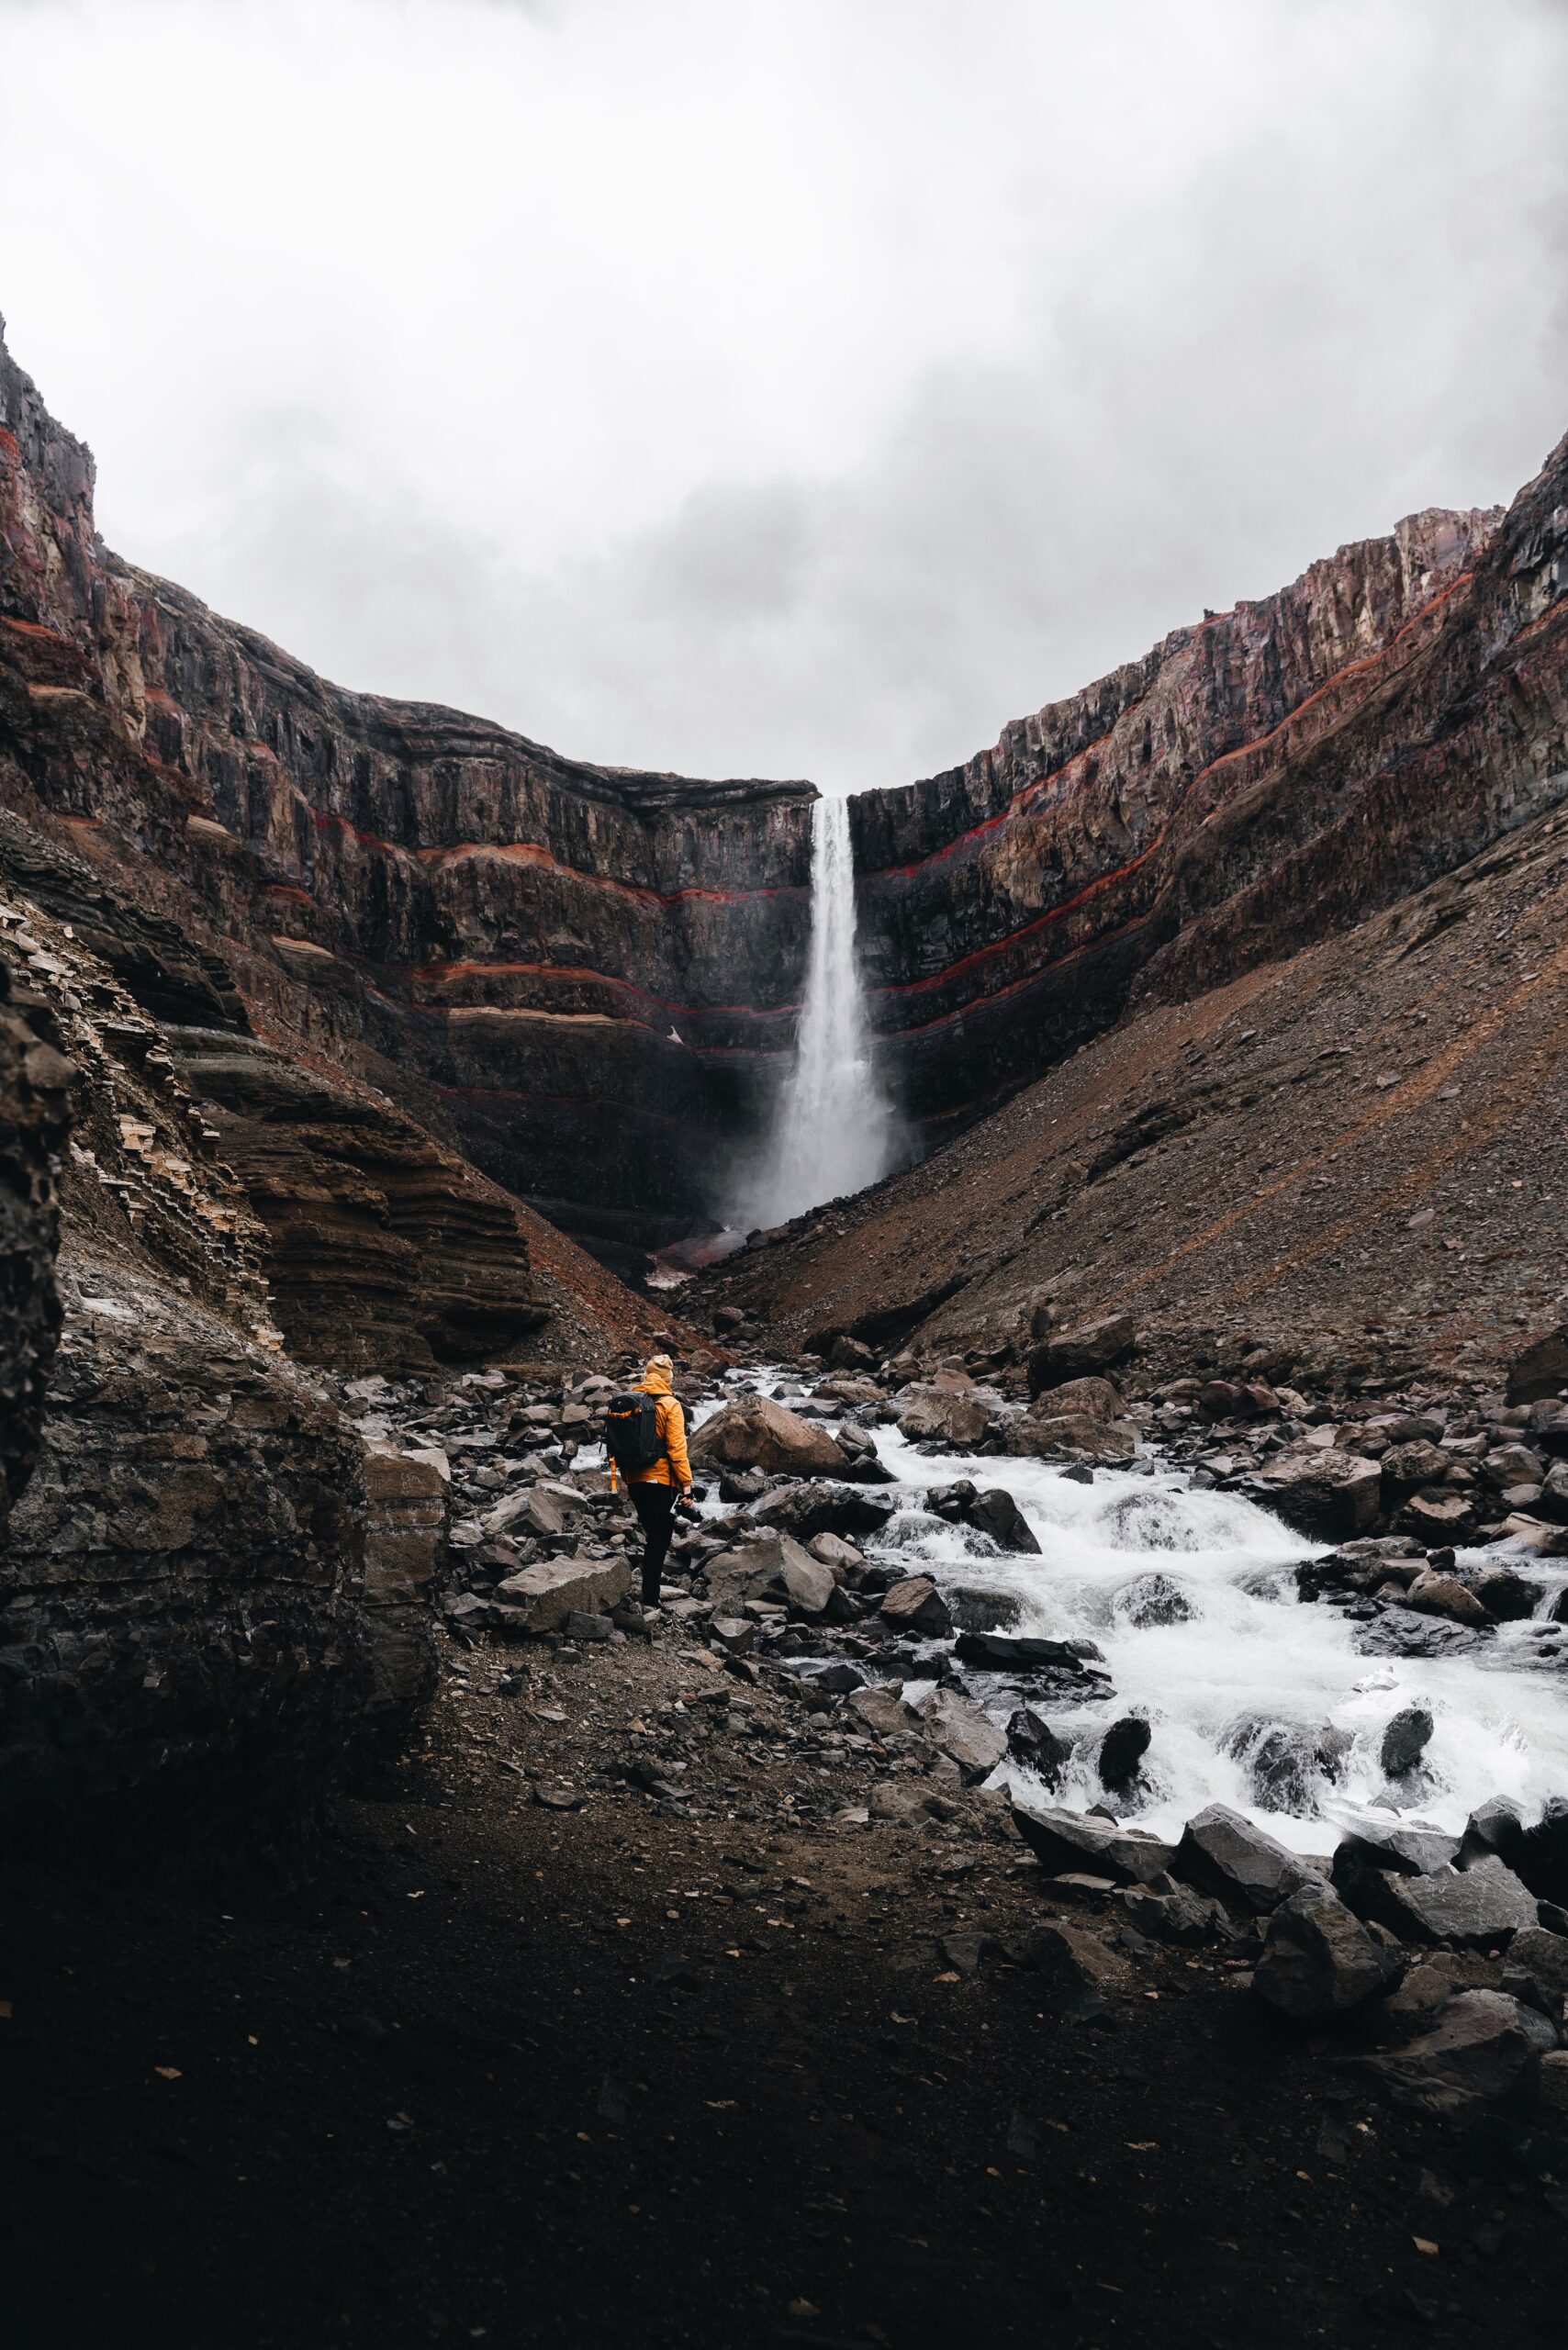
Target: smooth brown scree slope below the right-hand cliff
column 1355, row 1157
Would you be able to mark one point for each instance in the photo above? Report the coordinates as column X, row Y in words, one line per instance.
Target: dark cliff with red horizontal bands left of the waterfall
column 582, row 972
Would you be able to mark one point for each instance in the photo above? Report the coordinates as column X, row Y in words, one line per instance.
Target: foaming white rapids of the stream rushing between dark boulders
column 1249, row 1665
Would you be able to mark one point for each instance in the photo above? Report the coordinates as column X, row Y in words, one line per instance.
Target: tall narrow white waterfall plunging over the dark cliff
column 836, row 1124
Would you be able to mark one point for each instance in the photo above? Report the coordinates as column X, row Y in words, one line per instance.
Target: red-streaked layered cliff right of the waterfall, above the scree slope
column 1249, row 786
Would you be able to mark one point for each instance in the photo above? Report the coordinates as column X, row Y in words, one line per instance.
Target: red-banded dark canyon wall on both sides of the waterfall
column 587, row 981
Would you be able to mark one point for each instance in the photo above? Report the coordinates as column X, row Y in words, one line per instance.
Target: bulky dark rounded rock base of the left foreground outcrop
column 201, row 1592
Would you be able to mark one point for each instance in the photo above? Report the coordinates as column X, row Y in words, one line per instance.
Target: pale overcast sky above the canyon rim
column 779, row 387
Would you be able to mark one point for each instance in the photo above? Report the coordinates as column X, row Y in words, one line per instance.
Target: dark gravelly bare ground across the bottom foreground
column 622, row 2076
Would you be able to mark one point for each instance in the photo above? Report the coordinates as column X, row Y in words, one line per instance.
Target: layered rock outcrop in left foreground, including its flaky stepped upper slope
column 203, row 1564
